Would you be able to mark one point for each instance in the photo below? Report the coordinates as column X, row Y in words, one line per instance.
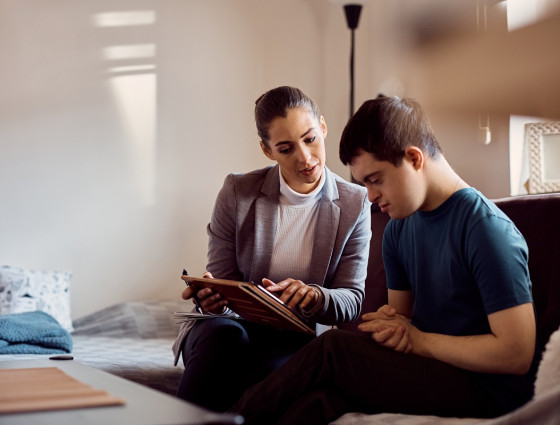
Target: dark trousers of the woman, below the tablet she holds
column 223, row 357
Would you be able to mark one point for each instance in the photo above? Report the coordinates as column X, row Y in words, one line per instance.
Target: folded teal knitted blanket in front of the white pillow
column 35, row 332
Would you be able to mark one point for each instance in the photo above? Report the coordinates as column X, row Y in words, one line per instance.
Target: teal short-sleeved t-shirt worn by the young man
column 462, row 261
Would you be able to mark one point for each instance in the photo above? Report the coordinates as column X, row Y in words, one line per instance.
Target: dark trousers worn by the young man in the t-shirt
column 341, row 372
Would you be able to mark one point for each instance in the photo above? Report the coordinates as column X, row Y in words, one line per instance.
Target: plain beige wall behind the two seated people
column 113, row 175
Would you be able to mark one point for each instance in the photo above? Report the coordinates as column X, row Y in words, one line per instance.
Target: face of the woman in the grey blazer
column 297, row 144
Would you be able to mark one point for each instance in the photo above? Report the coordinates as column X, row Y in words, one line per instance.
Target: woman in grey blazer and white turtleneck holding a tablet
column 296, row 227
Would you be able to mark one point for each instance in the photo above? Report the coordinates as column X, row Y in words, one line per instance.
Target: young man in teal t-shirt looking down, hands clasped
column 457, row 337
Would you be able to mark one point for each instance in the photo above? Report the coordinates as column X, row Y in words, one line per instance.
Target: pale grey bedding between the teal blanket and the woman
column 132, row 340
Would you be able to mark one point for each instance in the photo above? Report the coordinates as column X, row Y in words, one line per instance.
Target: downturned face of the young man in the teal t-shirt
column 397, row 190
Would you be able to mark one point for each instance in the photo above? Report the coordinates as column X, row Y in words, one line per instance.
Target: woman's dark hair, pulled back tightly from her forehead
column 276, row 103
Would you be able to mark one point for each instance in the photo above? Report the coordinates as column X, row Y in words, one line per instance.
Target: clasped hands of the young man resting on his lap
column 388, row 328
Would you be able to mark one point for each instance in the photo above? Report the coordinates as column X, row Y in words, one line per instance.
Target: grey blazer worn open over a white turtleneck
column 241, row 239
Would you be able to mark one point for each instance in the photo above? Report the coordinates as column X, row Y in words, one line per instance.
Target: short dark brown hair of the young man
column 385, row 127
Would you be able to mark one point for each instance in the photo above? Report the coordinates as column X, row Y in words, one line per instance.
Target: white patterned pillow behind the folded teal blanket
column 23, row 291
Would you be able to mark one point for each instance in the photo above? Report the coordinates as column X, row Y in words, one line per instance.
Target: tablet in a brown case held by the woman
column 254, row 303
